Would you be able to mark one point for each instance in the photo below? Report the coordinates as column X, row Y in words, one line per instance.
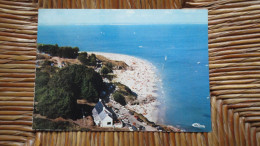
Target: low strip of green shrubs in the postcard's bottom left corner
column 39, row 123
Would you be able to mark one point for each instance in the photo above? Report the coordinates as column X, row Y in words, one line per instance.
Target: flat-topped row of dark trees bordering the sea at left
column 55, row 50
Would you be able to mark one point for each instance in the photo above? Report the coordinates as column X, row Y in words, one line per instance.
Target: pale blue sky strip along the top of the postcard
column 121, row 16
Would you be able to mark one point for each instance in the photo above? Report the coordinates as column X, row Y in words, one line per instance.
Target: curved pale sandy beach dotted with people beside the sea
column 141, row 78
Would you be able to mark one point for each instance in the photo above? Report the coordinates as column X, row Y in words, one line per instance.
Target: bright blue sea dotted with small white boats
column 180, row 53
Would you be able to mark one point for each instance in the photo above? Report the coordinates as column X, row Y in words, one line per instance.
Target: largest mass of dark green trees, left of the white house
column 57, row 93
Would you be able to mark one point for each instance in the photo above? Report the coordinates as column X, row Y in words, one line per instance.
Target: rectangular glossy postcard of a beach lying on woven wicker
column 122, row 70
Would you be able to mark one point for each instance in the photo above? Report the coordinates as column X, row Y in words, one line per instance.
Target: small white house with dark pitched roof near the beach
column 102, row 116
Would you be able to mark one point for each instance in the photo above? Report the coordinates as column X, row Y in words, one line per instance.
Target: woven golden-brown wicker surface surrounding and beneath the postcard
column 234, row 54
